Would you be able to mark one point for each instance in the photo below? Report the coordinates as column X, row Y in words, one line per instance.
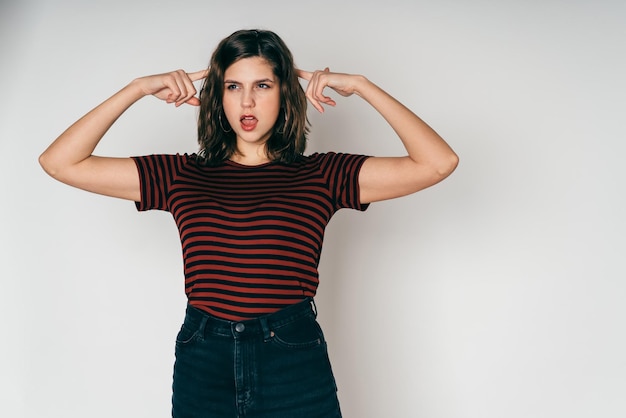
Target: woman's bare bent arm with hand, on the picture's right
column 430, row 159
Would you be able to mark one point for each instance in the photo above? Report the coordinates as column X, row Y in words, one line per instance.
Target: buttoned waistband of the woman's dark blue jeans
column 198, row 319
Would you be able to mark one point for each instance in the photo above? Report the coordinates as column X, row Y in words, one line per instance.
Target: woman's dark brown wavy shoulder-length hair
column 216, row 138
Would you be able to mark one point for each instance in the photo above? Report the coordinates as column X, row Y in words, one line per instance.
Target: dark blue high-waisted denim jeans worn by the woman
column 275, row 366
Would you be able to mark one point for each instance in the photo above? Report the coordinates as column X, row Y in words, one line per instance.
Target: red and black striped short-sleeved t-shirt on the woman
column 251, row 236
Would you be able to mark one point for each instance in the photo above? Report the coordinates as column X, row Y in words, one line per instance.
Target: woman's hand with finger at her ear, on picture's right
column 344, row 84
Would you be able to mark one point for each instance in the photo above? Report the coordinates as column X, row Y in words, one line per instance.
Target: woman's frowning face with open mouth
column 251, row 102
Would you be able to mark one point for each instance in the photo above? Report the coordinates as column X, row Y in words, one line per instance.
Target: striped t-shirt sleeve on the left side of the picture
column 156, row 174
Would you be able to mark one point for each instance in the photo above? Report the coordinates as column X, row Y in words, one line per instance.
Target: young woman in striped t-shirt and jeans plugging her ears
column 251, row 210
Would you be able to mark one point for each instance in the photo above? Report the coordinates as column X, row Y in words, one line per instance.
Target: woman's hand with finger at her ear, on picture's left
column 173, row 87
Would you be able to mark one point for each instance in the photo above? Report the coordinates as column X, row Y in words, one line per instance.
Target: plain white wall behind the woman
column 497, row 293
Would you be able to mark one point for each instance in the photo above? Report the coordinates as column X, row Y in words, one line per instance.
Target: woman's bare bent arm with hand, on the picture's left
column 69, row 158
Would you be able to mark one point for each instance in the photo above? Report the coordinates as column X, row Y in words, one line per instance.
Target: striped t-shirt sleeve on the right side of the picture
column 342, row 171
